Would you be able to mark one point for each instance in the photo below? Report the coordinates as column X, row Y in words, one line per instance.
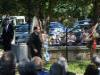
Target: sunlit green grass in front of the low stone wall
column 77, row 67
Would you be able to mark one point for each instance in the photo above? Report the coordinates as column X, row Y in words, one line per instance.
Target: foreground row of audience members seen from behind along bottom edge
column 35, row 66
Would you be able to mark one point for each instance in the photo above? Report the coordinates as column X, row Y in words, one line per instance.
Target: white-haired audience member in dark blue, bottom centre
column 59, row 67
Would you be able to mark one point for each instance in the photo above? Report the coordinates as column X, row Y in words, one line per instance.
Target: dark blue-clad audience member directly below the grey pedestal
column 26, row 68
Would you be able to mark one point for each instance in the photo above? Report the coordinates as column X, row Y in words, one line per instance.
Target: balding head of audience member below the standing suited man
column 37, row 62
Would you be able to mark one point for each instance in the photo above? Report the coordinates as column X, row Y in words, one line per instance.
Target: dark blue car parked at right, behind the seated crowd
column 78, row 27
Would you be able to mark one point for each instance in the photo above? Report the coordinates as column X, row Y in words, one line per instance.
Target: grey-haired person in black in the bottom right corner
column 94, row 67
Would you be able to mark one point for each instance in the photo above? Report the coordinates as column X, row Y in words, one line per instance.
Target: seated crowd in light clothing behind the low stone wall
column 74, row 38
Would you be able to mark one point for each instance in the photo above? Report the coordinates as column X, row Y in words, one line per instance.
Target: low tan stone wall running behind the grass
column 71, row 52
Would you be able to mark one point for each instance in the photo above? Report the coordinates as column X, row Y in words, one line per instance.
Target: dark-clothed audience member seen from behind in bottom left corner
column 7, row 64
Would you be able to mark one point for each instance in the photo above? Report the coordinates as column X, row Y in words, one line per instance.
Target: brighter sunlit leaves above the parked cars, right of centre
column 75, row 8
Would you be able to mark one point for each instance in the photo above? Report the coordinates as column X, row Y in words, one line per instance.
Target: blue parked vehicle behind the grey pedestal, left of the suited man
column 21, row 34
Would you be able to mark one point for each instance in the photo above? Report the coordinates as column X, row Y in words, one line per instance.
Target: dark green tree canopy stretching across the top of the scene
column 53, row 8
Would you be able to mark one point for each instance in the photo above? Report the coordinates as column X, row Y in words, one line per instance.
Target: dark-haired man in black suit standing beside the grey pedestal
column 35, row 43
